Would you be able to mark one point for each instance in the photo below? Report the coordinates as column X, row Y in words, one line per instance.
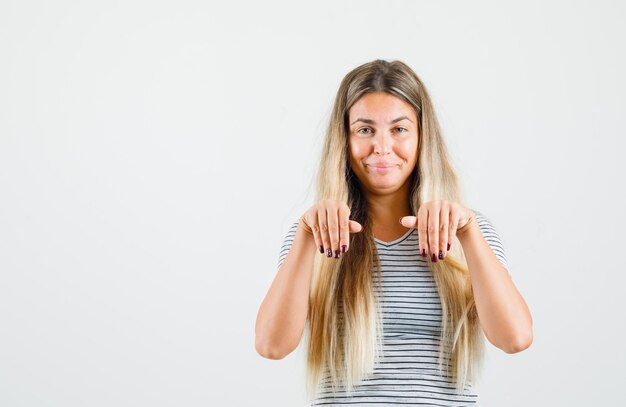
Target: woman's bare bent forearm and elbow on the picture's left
column 282, row 316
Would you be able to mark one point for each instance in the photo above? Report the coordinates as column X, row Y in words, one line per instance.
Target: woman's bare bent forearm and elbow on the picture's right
column 503, row 313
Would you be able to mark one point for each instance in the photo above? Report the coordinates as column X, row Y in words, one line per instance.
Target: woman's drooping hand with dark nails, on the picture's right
column 437, row 222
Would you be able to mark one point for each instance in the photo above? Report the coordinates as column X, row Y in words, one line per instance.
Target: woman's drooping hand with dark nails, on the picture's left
column 329, row 224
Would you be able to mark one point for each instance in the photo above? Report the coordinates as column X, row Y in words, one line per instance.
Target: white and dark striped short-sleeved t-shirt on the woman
column 407, row 373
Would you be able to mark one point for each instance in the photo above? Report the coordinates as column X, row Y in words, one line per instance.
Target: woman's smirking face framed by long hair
column 382, row 142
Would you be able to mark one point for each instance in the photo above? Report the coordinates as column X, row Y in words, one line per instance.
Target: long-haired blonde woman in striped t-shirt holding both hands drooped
column 407, row 278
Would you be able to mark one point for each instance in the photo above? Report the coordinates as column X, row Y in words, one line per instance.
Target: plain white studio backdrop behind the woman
column 154, row 153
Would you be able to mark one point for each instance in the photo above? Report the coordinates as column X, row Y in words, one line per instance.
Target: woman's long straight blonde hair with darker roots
column 344, row 324
